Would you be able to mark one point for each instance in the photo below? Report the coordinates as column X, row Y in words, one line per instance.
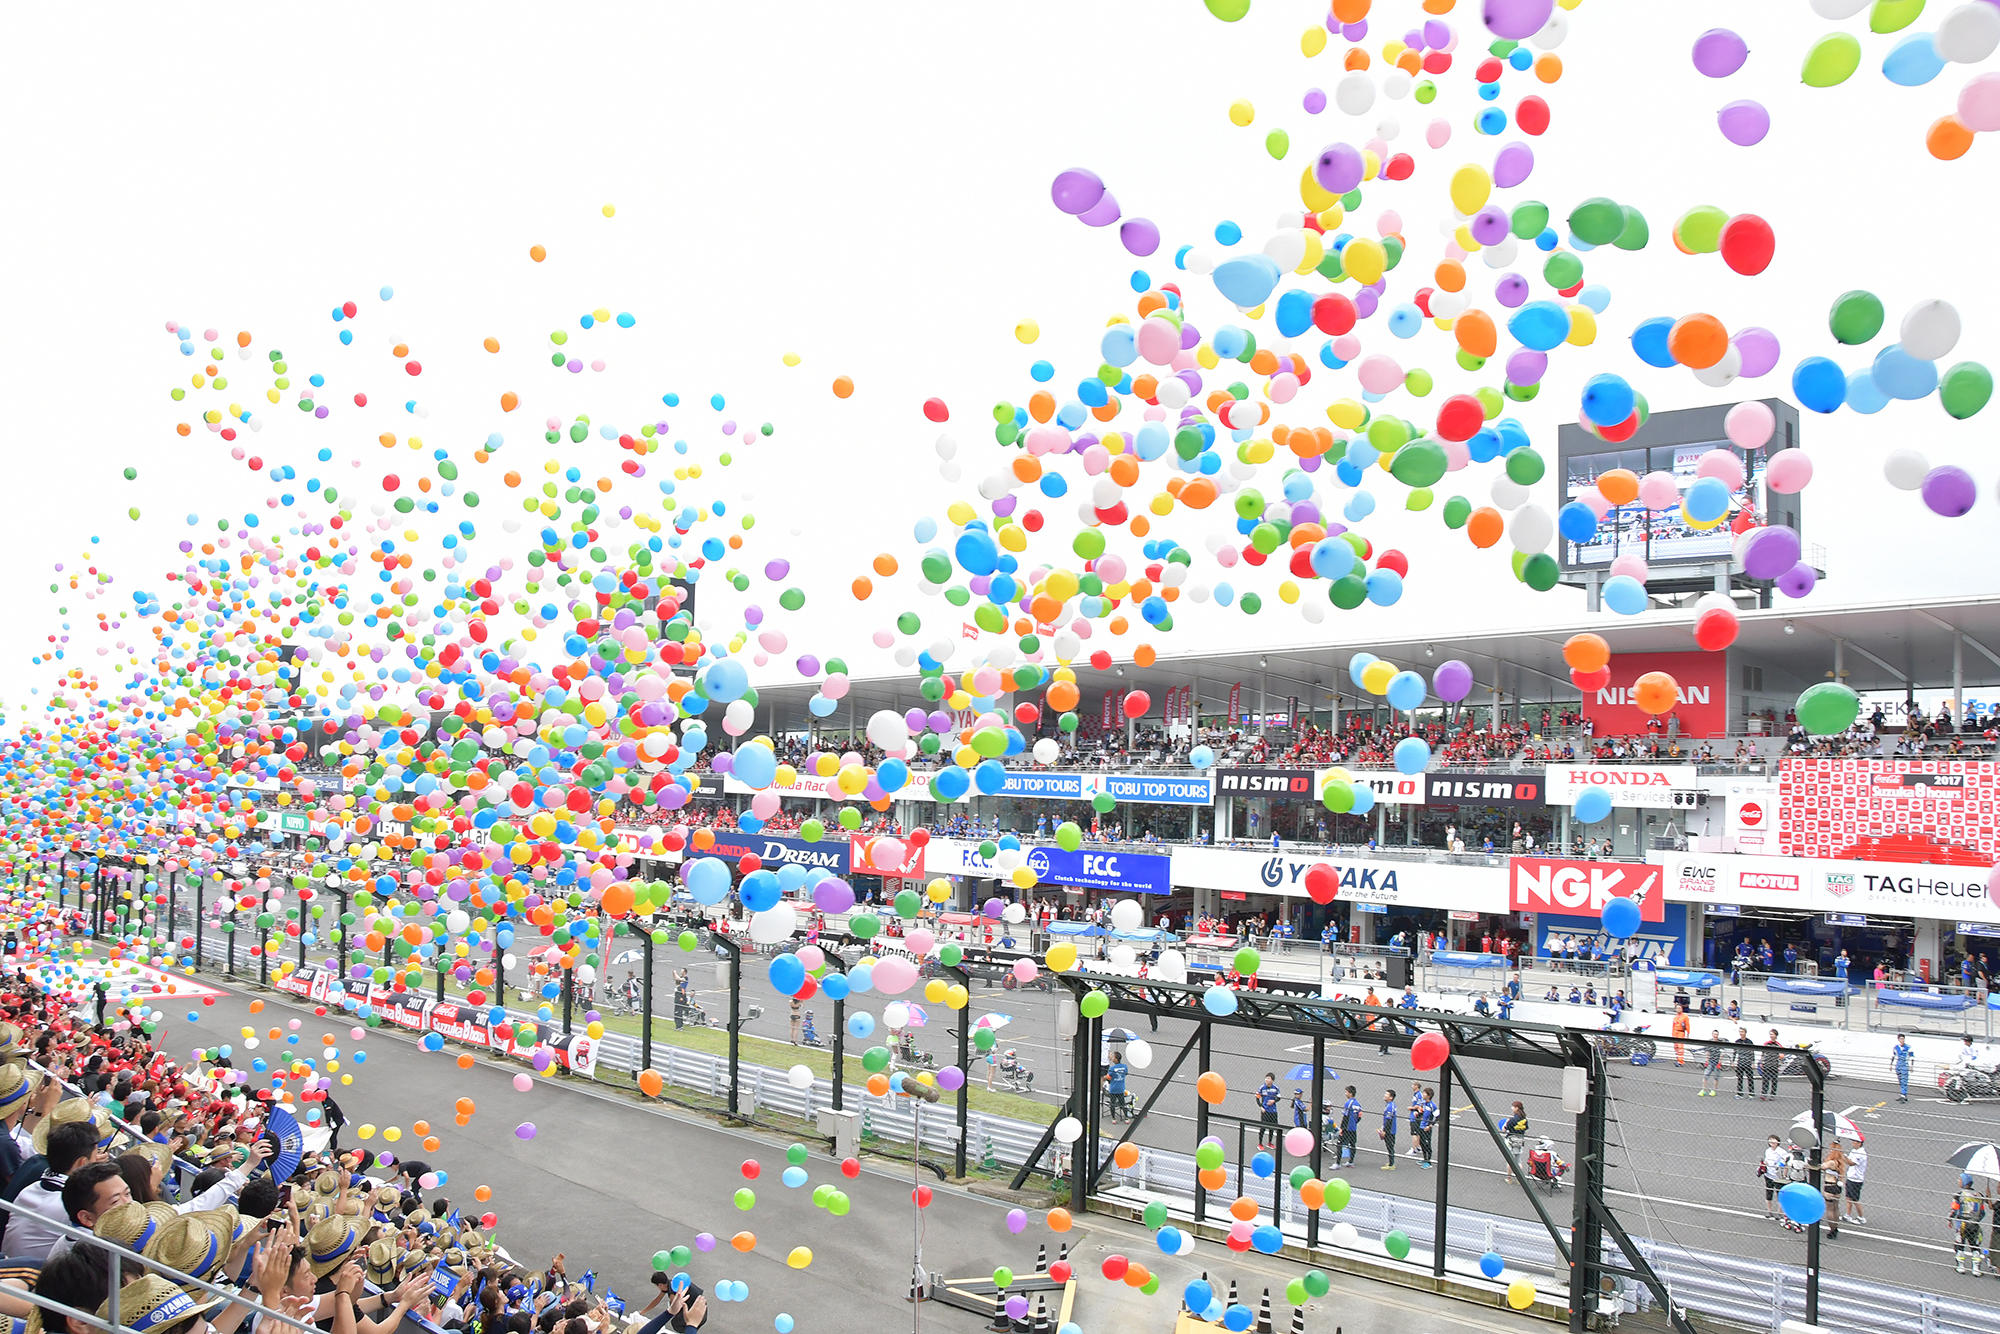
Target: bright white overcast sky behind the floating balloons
column 869, row 187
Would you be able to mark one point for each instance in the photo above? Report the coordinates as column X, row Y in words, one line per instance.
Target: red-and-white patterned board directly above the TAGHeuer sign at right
column 1937, row 809
